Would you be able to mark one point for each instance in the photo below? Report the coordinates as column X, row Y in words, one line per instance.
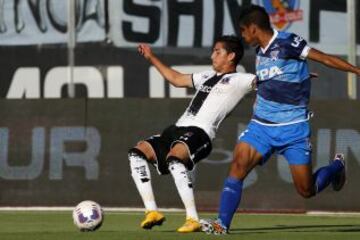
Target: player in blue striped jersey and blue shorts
column 280, row 121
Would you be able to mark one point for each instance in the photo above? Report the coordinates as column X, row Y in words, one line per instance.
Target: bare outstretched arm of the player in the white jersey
column 174, row 77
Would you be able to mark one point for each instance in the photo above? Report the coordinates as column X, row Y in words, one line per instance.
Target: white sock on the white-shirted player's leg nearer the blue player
column 184, row 186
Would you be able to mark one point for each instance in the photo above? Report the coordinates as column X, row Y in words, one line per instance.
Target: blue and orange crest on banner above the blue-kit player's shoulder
column 282, row 12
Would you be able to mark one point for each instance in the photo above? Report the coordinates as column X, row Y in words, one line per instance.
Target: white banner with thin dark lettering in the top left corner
column 35, row 22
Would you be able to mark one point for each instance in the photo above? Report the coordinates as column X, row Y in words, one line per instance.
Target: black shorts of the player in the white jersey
column 196, row 139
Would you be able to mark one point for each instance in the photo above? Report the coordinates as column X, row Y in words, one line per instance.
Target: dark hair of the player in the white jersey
column 232, row 44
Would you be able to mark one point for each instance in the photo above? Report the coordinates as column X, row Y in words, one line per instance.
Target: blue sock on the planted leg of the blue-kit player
column 230, row 200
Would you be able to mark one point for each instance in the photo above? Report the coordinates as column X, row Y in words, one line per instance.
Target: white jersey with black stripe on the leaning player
column 216, row 96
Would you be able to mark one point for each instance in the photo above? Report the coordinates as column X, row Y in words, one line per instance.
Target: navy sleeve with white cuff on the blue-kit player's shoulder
column 296, row 47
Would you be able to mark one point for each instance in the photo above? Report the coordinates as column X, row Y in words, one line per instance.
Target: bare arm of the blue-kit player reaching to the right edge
column 332, row 61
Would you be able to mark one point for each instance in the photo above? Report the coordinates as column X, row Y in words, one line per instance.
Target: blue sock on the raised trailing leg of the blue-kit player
column 323, row 176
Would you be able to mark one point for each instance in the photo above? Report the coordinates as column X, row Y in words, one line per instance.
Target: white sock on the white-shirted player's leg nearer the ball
column 140, row 172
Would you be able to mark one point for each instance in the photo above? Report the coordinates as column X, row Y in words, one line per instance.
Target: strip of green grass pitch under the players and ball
column 117, row 225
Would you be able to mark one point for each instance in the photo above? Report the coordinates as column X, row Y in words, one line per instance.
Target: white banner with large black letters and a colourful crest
column 197, row 23
